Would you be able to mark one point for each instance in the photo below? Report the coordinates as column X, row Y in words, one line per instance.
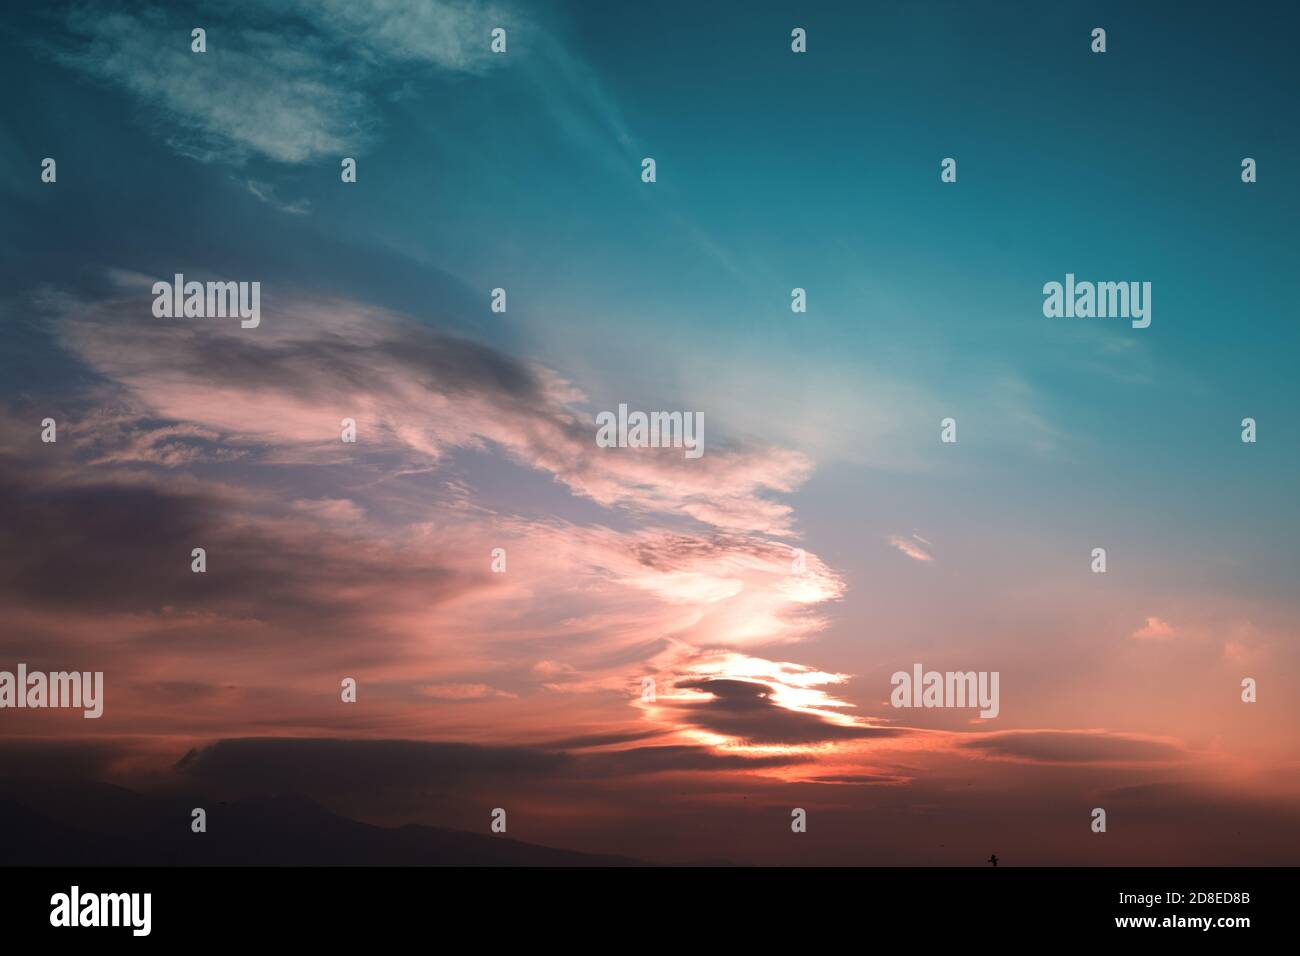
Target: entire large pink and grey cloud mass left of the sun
column 203, row 435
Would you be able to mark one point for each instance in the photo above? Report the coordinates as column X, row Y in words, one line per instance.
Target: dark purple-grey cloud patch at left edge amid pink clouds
column 116, row 547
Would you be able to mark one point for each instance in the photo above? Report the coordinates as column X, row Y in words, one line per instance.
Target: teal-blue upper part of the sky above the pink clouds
column 775, row 171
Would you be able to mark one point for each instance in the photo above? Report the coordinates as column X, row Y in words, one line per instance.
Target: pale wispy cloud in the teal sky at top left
column 283, row 81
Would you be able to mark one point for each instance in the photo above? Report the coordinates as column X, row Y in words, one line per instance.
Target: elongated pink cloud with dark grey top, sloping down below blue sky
column 415, row 391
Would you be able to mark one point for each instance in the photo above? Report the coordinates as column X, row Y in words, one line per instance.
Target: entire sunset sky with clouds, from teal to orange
column 476, row 430
